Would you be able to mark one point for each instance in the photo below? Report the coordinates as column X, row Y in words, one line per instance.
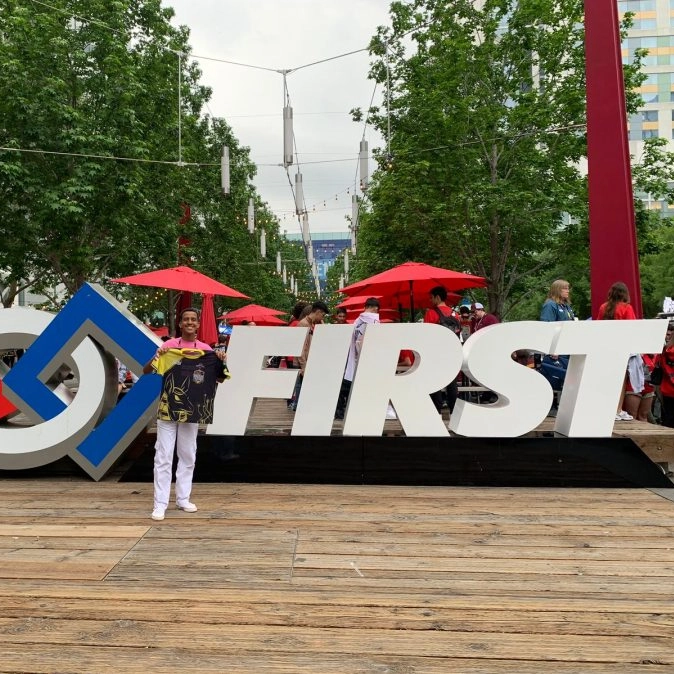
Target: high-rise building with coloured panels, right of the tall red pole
column 652, row 30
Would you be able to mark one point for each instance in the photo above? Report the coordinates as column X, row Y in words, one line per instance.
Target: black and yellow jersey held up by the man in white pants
column 188, row 385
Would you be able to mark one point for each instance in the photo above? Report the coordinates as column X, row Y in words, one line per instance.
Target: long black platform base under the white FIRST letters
column 485, row 462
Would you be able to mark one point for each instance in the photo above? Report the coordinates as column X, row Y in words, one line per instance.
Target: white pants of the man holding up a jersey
column 186, row 434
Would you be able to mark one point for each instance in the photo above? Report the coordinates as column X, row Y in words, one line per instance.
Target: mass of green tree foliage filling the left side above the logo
column 75, row 94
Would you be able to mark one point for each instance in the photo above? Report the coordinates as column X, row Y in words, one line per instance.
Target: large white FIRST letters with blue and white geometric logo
column 94, row 429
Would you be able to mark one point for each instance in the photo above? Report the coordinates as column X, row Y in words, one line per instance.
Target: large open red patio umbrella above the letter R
column 409, row 278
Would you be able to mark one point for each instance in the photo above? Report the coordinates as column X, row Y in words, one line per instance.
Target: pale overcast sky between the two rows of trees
column 286, row 35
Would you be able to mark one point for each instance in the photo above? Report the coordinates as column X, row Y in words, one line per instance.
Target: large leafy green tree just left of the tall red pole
column 487, row 117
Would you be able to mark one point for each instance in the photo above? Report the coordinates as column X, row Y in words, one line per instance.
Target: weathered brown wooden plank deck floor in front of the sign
column 335, row 580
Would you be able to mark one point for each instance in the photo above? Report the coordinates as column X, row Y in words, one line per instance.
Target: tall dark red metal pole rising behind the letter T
column 613, row 244
